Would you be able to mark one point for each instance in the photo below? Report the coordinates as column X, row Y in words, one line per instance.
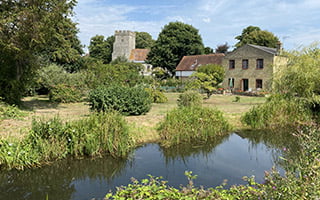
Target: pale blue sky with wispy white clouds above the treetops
column 295, row 22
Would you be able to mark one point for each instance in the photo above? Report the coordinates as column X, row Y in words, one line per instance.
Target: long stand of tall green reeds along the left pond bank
column 99, row 134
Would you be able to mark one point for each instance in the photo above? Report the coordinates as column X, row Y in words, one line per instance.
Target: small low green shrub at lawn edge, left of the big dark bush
column 65, row 94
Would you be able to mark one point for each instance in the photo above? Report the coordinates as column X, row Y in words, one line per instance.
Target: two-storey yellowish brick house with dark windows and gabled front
column 252, row 68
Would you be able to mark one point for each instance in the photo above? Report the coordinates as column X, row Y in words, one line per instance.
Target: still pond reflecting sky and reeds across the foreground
column 230, row 157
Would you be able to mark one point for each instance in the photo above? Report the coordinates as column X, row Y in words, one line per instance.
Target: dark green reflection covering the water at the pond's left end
column 56, row 180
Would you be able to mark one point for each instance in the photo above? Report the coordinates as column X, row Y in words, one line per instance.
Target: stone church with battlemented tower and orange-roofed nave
column 125, row 46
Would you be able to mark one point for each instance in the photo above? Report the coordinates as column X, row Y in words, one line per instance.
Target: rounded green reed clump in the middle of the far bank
column 192, row 124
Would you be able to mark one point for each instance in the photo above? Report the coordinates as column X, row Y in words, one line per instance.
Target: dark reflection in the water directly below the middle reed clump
column 185, row 150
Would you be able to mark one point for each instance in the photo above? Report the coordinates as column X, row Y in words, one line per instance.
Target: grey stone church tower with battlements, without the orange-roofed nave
column 125, row 41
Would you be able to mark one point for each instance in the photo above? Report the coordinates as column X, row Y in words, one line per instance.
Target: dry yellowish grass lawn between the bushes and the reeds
column 144, row 126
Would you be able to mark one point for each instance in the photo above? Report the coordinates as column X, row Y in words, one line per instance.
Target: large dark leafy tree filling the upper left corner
column 27, row 29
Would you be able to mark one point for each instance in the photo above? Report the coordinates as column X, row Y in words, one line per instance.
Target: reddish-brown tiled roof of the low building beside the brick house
column 190, row 63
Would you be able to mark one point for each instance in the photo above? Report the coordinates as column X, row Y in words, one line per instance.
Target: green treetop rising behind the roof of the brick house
column 254, row 35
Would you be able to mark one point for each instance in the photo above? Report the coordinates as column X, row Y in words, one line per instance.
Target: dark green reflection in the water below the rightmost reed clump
column 279, row 143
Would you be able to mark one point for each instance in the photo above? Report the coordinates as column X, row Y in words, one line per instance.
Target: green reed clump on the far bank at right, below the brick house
column 277, row 112
